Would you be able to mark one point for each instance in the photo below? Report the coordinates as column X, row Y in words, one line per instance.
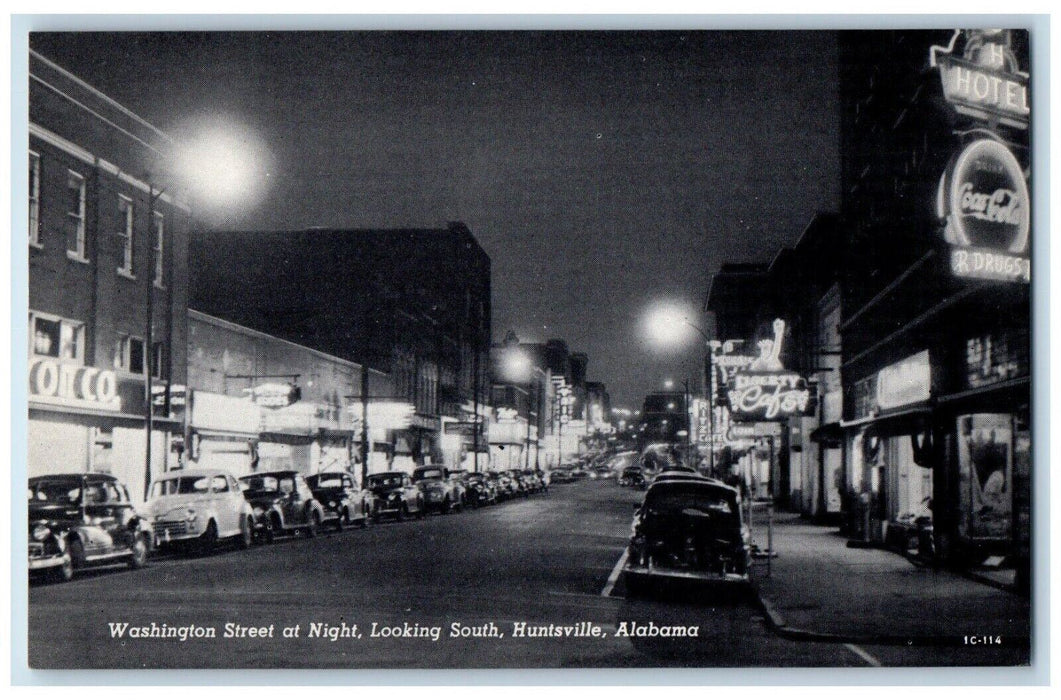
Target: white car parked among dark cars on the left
column 200, row 507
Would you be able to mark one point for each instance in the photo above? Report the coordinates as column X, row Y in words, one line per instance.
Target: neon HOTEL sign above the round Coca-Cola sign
column 985, row 83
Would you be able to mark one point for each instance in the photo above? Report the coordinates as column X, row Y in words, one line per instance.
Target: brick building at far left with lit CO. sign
column 108, row 287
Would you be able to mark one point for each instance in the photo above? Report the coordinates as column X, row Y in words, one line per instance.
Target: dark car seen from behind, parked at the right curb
column 689, row 529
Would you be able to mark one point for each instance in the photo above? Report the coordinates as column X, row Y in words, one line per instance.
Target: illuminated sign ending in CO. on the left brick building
column 74, row 386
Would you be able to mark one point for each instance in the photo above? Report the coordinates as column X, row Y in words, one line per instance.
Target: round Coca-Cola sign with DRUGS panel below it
column 984, row 203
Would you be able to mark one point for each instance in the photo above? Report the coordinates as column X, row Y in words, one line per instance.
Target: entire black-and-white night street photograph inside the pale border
column 530, row 351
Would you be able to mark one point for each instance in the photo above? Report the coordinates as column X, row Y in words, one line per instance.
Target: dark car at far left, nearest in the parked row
column 84, row 520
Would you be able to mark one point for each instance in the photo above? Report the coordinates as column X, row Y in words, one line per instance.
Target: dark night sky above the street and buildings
column 600, row 171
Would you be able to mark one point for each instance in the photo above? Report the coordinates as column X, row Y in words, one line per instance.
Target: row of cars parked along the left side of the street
column 84, row 520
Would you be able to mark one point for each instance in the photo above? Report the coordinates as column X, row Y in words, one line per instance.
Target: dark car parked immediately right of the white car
column 283, row 503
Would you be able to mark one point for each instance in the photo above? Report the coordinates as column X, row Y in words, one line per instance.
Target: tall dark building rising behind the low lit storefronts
column 411, row 303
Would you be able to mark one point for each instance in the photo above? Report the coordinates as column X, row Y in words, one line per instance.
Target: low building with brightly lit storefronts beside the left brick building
column 257, row 402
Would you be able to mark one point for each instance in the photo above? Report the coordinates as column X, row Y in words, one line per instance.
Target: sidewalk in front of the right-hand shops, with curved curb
column 820, row 589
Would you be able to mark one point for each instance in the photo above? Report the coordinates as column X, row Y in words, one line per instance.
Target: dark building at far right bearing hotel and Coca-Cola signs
column 936, row 367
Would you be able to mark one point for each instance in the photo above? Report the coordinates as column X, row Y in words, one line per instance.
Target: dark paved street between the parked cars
column 543, row 561
